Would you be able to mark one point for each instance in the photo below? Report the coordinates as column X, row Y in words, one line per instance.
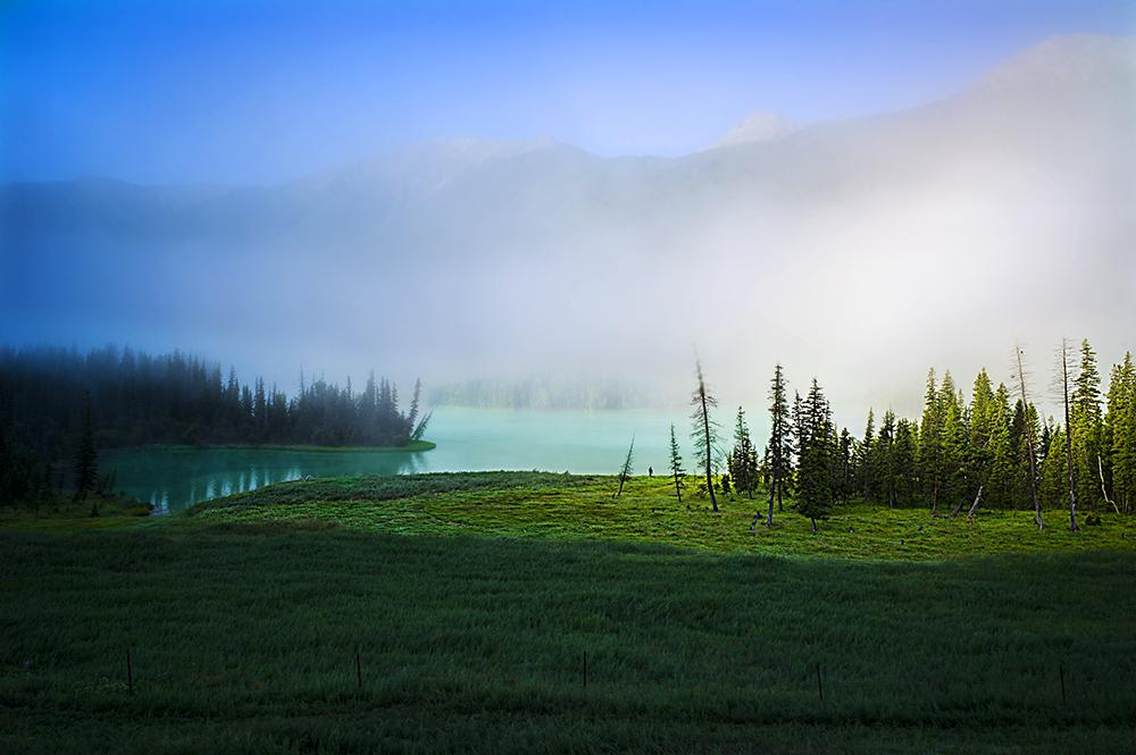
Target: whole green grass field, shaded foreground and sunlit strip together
column 474, row 599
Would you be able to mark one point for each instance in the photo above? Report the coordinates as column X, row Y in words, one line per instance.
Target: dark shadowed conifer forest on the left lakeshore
column 52, row 399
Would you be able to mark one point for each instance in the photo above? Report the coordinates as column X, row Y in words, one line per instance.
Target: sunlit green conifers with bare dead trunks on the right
column 996, row 450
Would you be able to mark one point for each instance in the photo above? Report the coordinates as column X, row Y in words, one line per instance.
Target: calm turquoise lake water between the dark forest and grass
column 469, row 440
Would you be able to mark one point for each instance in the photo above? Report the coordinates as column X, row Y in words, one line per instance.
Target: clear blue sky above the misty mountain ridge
column 236, row 93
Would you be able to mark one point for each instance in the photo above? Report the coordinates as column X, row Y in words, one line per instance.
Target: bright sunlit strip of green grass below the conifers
column 559, row 507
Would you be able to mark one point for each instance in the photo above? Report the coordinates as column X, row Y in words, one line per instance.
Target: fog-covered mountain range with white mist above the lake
column 1007, row 203
